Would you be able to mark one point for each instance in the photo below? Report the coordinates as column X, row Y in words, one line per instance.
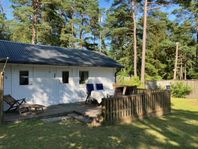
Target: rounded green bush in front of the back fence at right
column 180, row 90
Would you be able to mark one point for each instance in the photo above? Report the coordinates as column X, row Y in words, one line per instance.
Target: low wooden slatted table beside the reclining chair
column 34, row 108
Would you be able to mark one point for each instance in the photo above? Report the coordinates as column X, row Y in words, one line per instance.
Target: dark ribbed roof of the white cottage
column 22, row 53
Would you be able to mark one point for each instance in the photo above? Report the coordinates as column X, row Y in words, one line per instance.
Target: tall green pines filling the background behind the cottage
column 83, row 24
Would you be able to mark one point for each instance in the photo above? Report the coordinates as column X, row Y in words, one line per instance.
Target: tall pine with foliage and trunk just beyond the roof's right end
column 122, row 23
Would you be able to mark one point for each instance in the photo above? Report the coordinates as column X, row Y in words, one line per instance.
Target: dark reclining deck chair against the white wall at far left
column 13, row 103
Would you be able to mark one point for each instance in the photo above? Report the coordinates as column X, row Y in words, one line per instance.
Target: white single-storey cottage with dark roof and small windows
column 52, row 75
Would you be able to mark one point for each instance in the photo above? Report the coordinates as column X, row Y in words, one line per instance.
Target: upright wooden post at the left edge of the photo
column 1, row 98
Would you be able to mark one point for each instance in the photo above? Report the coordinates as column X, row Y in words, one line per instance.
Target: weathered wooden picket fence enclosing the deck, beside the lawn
column 125, row 109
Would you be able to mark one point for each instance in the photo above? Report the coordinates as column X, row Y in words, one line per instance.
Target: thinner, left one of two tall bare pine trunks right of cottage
column 134, row 39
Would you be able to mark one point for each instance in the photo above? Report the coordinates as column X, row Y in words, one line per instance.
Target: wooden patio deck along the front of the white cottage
column 80, row 108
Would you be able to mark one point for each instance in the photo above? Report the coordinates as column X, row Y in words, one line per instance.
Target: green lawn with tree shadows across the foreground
column 177, row 130
